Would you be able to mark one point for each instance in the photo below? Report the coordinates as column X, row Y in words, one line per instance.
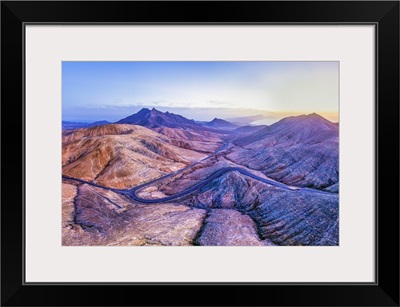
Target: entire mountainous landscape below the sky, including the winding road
column 156, row 178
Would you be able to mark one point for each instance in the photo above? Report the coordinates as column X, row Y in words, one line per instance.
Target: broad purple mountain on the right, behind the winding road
column 300, row 150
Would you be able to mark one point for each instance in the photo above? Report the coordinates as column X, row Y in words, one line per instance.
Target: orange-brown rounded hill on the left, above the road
column 121, row 156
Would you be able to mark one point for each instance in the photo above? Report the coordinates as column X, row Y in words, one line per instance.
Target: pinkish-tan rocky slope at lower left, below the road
column 100, row 217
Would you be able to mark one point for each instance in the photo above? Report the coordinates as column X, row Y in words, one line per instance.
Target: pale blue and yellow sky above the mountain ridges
column 93, row 91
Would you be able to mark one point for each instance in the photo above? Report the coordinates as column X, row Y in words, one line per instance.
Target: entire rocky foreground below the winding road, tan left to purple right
column 241, row 212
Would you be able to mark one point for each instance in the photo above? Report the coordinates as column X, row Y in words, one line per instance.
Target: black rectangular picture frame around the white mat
column 383, row 14
